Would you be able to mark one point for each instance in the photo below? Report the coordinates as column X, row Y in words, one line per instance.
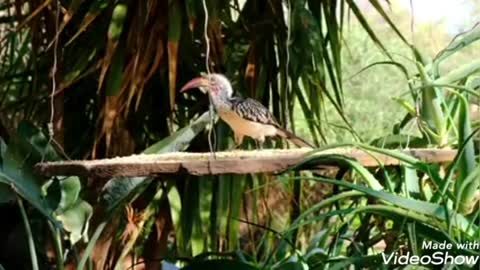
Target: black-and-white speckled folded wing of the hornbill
column 252, row 110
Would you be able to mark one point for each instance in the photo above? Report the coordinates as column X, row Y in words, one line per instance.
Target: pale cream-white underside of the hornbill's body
column 245, row 127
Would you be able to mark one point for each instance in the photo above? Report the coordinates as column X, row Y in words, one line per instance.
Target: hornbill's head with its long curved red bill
column 215, row 84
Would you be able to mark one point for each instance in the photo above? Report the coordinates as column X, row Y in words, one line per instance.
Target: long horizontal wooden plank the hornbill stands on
column 234, row 162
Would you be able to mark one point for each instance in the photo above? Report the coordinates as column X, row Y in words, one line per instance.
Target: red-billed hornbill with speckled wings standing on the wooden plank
column 246, row 117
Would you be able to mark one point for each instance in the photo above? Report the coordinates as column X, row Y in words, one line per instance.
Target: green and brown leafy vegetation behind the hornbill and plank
column 86, row 79
